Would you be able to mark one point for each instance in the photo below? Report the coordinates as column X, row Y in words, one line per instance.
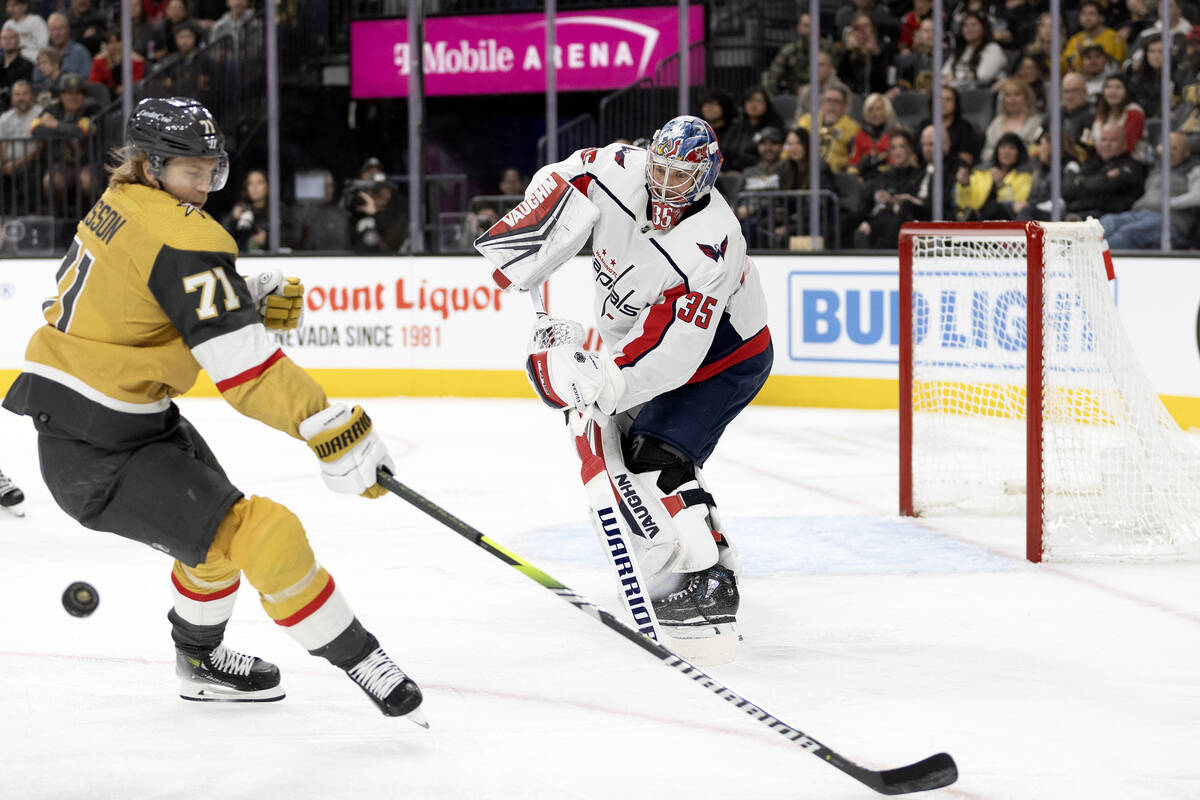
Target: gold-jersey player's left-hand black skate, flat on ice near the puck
column 226, row 676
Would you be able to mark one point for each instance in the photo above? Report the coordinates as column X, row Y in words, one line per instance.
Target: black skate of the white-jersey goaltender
column 700, row 618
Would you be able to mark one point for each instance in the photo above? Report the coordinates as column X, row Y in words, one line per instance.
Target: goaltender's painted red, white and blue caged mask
column 681, row 169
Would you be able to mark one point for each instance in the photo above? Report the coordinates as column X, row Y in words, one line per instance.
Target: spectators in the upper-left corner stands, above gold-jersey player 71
column 61, row 64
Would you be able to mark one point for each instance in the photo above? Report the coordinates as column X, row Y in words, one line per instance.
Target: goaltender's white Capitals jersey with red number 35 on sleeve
column 673, row 306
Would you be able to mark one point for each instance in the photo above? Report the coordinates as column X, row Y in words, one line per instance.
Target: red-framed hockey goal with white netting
column 1091, row 458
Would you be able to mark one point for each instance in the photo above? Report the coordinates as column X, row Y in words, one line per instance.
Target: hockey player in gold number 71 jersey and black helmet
column 148, row 294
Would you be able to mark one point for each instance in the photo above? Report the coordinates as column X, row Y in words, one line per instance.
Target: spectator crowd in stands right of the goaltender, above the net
column 877, row 134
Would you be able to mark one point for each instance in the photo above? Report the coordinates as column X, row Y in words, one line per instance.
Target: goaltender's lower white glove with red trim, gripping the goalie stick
column 567, row 377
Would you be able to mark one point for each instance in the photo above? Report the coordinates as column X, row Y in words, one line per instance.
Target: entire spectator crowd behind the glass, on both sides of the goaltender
column 61, row 63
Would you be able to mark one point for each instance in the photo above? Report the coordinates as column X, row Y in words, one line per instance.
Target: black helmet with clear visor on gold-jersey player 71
column 171, row 128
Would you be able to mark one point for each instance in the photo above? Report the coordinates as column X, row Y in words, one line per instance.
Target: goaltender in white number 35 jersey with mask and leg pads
column 683, row 318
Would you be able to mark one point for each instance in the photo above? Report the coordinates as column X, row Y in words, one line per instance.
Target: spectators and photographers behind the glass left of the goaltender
column 61, row 64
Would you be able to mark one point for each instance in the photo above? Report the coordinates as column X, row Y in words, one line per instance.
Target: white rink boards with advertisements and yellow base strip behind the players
column 437, row 327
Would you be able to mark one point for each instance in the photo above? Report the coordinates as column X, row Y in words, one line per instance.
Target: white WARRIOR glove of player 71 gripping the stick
column 349, row 448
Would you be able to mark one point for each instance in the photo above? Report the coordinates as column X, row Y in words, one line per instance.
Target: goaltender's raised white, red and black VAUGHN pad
column 539, row 236
